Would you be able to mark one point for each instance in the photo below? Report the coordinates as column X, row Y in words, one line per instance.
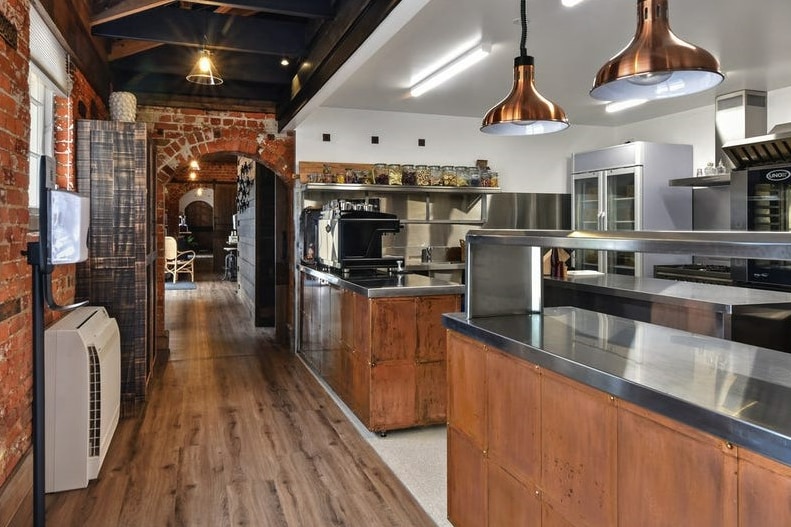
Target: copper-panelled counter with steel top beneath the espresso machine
column 379, row 343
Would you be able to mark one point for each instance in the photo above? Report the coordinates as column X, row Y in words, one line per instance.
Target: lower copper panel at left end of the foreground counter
column 466, row 482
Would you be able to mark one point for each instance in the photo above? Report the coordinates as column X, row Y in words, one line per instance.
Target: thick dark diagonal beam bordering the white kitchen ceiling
column 355, row 21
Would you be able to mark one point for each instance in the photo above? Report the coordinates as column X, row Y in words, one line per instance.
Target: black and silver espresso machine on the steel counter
column 350, row 237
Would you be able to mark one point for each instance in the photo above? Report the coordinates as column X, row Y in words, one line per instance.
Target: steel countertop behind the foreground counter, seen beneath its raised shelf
column 719, row 297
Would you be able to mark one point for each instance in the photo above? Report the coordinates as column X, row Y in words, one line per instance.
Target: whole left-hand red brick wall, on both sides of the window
column 15, row 274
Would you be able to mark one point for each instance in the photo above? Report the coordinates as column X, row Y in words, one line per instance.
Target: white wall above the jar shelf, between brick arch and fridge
column 525, row 164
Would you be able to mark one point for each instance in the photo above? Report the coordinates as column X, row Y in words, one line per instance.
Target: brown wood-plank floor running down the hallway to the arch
column 236, row 432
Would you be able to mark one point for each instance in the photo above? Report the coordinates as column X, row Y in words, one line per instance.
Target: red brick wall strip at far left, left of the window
column 15, row 285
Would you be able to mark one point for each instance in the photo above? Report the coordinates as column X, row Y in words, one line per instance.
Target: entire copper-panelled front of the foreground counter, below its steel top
column 527, row 446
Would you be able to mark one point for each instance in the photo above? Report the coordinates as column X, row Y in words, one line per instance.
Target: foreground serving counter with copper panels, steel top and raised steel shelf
column 566, row 416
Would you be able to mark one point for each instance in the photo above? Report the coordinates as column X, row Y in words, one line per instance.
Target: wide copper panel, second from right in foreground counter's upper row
column 670, row 474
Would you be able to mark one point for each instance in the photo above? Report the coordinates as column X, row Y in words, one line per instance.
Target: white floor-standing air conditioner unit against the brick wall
column 82, row 357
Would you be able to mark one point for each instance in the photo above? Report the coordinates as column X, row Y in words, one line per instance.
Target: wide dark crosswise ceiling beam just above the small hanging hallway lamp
column 218, row 32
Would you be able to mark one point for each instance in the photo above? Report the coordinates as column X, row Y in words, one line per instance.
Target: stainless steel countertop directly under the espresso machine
column 387, row 286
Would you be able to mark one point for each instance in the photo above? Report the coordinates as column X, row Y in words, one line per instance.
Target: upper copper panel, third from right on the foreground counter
column 578, row 444
